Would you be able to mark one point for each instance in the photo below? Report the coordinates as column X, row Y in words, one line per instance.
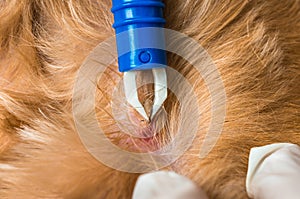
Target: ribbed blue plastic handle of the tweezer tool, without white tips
column 130, row 17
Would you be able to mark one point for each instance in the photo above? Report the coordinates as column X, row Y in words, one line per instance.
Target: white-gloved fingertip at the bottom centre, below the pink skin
column 166, row 185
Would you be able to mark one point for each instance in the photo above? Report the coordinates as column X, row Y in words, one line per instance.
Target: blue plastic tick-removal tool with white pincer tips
column 141, row 46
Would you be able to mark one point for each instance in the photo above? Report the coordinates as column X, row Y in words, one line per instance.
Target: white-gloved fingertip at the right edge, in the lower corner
column 274, row 172
